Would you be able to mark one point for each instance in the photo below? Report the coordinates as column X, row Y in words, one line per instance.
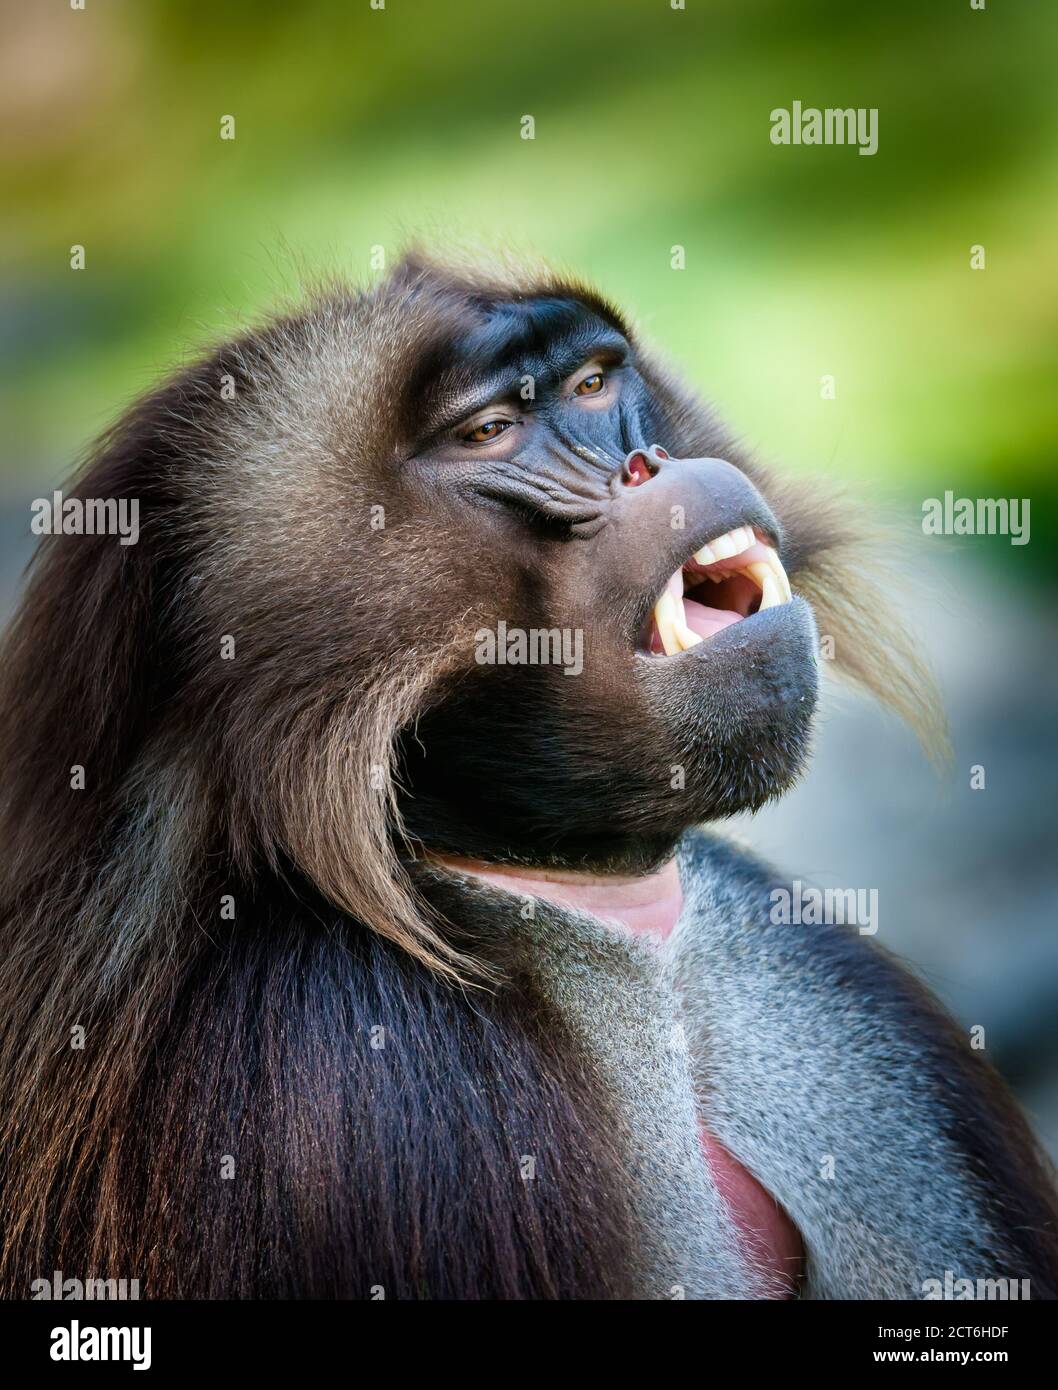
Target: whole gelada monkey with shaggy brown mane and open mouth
column 358, row 936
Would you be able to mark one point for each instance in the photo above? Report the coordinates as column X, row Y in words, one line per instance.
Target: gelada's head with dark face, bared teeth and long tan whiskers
column 451, row 565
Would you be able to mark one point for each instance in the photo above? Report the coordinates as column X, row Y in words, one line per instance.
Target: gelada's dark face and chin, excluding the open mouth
column 608, row 768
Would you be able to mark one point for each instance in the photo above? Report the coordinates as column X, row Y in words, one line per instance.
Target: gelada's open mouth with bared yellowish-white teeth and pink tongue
column 732, row 578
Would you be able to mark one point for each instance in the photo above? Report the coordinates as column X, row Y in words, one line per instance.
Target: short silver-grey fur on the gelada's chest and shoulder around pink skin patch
column 810, row 1054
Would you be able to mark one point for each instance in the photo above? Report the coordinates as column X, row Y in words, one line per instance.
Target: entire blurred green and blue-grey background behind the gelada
column 358, row 127
